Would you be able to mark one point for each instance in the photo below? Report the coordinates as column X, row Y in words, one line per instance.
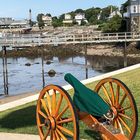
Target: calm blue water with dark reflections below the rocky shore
column 24, row 79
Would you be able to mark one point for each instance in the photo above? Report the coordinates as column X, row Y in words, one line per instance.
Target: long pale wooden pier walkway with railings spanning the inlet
column 36, row 39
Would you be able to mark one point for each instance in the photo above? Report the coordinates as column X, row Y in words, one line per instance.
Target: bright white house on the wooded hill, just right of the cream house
column 79, row 17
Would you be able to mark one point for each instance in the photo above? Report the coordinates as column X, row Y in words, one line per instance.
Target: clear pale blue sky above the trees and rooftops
column 19, row 9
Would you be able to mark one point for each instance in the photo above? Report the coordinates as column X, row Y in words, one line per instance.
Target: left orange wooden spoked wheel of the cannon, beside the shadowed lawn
column 56, row 115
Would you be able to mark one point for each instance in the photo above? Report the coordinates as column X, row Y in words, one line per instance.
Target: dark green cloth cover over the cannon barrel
column 85, row 99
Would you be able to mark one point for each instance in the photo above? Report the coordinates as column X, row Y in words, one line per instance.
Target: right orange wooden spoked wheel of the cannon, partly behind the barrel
column 117, row 95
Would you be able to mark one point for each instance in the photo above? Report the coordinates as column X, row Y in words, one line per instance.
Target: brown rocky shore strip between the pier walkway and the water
column 73, row 50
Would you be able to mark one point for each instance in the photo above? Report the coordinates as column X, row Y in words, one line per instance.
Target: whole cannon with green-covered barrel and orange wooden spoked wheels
column 109, row 109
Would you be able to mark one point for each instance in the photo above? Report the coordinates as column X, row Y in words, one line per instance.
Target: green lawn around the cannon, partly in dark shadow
column 22, row 119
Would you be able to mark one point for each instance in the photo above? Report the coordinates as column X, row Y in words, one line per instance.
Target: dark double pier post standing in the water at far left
column 5, row 71
